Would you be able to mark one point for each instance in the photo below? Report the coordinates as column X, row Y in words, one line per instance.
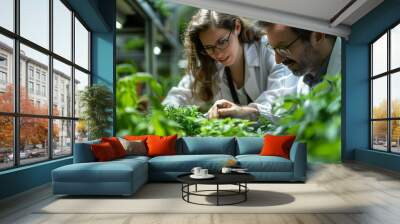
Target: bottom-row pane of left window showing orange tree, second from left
column 33, row 139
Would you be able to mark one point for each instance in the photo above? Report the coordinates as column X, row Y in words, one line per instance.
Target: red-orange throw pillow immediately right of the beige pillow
column 161, row 145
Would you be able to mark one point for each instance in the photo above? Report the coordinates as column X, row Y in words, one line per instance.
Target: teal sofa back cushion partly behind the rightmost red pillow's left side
column 249, row 145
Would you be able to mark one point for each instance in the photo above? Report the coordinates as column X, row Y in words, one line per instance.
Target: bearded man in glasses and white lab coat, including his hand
column 309, row 55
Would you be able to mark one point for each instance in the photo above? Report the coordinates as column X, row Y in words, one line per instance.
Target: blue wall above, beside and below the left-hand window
column 100, row 17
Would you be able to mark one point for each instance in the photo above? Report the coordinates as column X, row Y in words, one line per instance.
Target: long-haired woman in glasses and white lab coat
column 228, row 59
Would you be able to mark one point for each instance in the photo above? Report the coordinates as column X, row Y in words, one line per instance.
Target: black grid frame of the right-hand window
column 388, row 74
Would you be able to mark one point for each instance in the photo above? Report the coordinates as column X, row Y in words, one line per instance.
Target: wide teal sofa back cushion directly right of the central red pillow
column 207, row 145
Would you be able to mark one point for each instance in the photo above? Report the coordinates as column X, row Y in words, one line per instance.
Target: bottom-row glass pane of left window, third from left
column 62, row 141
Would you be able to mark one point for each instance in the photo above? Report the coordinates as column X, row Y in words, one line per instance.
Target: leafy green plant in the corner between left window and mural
column 96, row 102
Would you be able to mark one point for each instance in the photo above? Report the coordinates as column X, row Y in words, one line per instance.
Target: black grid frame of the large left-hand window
column 16, row 115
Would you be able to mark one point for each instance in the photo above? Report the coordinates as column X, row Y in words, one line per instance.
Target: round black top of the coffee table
column 220, row 178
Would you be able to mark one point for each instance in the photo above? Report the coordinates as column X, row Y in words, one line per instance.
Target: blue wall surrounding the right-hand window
column 356, row 85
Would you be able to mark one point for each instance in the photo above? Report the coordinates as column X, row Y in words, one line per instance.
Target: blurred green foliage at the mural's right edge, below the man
column 314, row 118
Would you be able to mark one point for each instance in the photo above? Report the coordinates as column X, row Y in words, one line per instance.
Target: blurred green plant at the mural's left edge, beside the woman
column 141, row 114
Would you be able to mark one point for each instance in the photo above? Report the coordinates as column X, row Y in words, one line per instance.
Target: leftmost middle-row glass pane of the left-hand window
column 6, row 74
